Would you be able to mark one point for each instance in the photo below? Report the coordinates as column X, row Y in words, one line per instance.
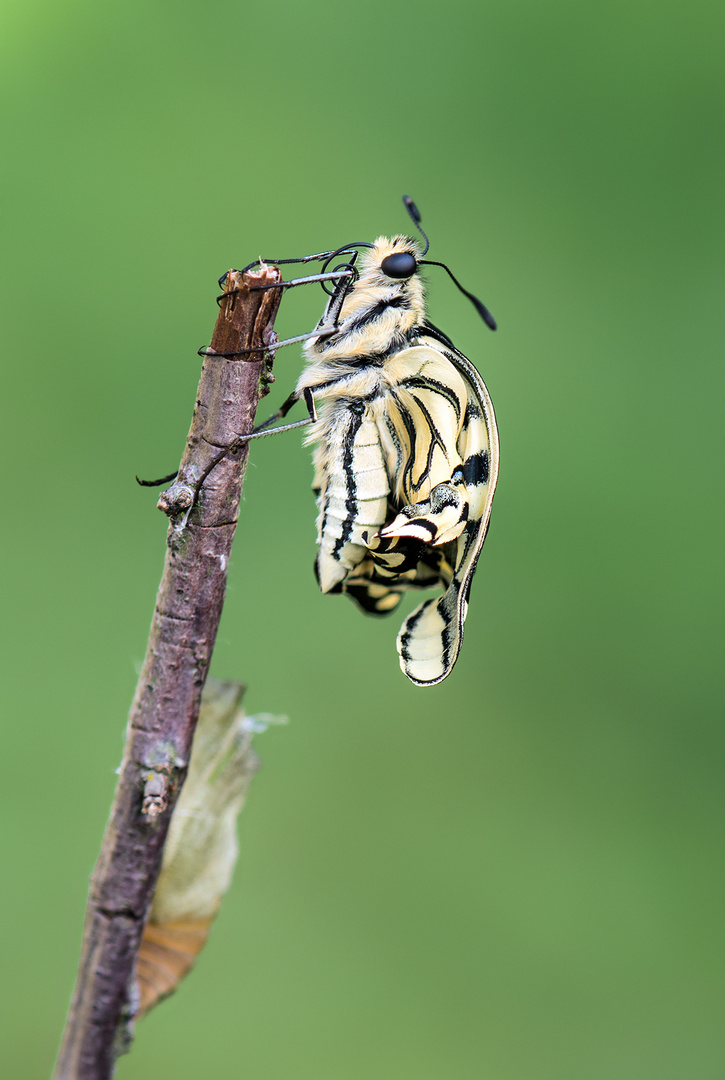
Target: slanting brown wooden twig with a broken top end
column 203, row 505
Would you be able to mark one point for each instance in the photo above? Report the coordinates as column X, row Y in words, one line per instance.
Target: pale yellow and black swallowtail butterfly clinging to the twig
column 406, row 448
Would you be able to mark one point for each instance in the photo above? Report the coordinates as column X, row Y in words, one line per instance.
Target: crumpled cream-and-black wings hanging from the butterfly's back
column 445, row 463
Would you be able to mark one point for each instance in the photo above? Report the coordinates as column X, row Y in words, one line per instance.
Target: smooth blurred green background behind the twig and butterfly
column 516, row 875
